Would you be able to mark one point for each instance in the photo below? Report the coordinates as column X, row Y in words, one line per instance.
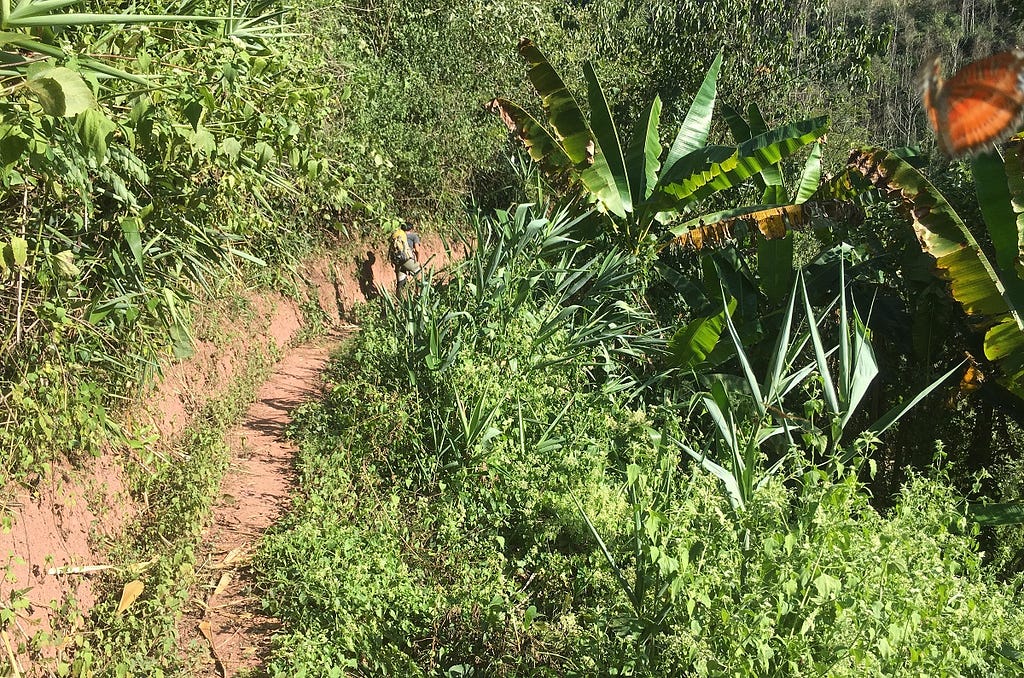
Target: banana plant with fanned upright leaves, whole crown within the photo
column 639, row 192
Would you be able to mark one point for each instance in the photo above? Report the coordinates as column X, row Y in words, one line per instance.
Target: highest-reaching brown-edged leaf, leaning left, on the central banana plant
column 560, row 105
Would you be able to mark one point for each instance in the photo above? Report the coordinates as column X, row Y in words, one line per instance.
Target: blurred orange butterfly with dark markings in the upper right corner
column 982, row 106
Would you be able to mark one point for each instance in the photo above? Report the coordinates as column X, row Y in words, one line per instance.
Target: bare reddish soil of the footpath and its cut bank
column 72, row 519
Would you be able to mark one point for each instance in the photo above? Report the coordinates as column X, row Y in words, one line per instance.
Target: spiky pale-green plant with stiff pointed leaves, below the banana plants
column 749, row 413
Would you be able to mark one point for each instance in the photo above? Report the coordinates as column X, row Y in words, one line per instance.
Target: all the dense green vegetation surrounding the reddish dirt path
column 587, row 451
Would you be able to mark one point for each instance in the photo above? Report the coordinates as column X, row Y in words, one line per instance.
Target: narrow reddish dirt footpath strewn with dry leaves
column 226, row 617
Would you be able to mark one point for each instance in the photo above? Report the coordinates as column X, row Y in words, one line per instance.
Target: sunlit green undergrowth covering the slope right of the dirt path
column 484, row 494
